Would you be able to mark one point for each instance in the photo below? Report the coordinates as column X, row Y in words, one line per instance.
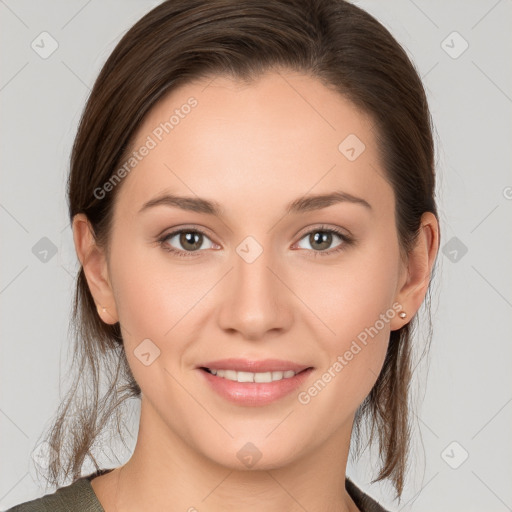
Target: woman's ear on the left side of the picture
column 94, row 263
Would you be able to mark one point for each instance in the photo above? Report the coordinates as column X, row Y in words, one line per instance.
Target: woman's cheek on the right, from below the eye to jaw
column 354, row 303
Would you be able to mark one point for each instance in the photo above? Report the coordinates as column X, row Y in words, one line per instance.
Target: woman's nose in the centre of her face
column 257, row 301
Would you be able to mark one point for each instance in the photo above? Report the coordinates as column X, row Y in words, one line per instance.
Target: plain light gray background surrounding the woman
column 464, row 409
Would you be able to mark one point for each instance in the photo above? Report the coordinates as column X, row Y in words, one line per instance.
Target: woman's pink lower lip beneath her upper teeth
column 255, row 393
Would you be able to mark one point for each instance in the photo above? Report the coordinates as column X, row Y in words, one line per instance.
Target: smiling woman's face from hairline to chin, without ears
column 263, row 281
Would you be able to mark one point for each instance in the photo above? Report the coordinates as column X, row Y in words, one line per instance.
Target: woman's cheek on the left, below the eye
column 159, row 301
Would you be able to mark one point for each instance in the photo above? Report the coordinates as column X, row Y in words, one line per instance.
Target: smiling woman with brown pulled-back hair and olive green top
column 252, row 201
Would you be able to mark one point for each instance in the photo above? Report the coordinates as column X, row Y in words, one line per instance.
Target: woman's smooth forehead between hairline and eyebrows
column 225, row 139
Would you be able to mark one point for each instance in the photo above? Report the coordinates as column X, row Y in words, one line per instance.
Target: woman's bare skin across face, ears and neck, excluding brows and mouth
column 253, row 149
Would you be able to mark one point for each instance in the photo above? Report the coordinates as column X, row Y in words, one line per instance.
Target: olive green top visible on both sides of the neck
column 80, row 497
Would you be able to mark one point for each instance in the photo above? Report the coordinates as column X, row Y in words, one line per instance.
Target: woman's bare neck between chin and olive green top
column 165, row 472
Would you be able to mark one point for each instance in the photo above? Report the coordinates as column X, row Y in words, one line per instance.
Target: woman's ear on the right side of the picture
column 417, row 273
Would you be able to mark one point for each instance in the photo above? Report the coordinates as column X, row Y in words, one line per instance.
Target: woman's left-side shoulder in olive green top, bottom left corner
column 76, row 497
